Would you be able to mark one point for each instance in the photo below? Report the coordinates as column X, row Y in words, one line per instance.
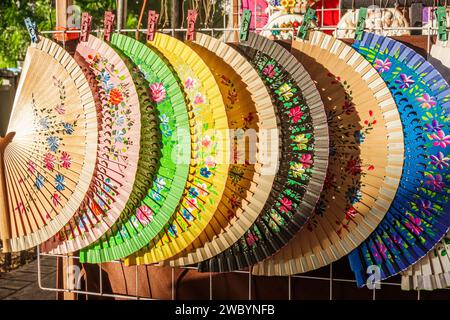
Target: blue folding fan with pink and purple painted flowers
column 419, row 216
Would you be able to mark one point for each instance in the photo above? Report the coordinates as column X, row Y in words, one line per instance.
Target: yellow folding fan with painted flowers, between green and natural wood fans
column 208, row 172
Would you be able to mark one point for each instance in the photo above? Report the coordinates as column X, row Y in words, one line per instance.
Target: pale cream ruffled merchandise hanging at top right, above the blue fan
column 383, row 21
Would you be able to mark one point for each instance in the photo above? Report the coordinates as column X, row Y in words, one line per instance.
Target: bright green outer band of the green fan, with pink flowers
column 162, row 198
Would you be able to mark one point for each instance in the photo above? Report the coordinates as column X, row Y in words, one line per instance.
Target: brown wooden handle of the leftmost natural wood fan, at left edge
column 5, row 225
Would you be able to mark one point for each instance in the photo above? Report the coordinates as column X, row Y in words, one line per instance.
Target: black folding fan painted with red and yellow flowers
column 303, row 160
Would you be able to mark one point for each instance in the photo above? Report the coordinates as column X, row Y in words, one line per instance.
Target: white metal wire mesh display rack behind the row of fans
column 331, row 279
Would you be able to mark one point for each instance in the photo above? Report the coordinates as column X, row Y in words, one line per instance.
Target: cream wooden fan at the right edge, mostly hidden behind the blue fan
column 433, row 271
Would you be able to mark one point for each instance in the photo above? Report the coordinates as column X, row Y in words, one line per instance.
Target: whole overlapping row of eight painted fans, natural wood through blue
column 229, row 155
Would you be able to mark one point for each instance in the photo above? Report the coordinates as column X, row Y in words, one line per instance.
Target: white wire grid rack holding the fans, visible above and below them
column 331, row 279
